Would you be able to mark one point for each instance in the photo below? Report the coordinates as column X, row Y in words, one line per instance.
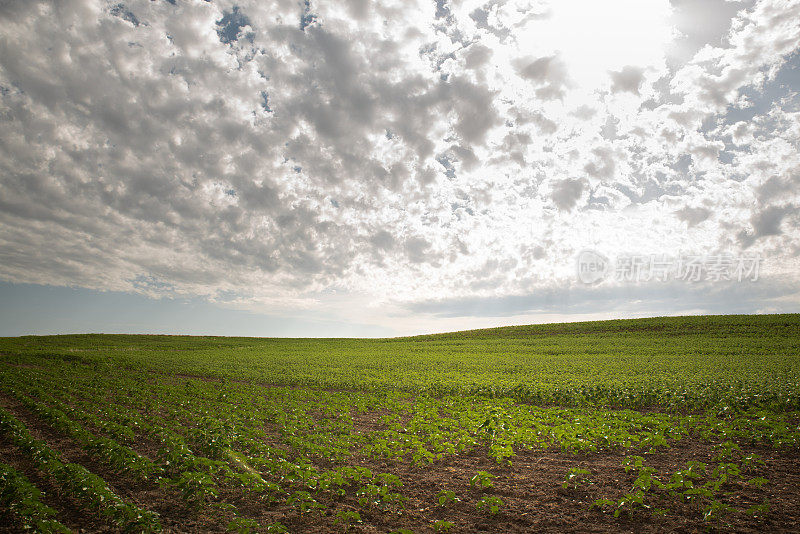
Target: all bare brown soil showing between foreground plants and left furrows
column 533, row 499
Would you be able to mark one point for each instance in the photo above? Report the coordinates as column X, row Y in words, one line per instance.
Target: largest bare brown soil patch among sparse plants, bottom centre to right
column 534, row 501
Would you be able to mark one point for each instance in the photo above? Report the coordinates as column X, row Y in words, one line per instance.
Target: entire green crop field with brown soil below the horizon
column 684, row 424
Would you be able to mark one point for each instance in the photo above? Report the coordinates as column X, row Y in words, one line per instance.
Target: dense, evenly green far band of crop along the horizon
column 700, row 360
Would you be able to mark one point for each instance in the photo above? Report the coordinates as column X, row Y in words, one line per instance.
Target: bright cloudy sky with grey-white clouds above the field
column 370, row 168
